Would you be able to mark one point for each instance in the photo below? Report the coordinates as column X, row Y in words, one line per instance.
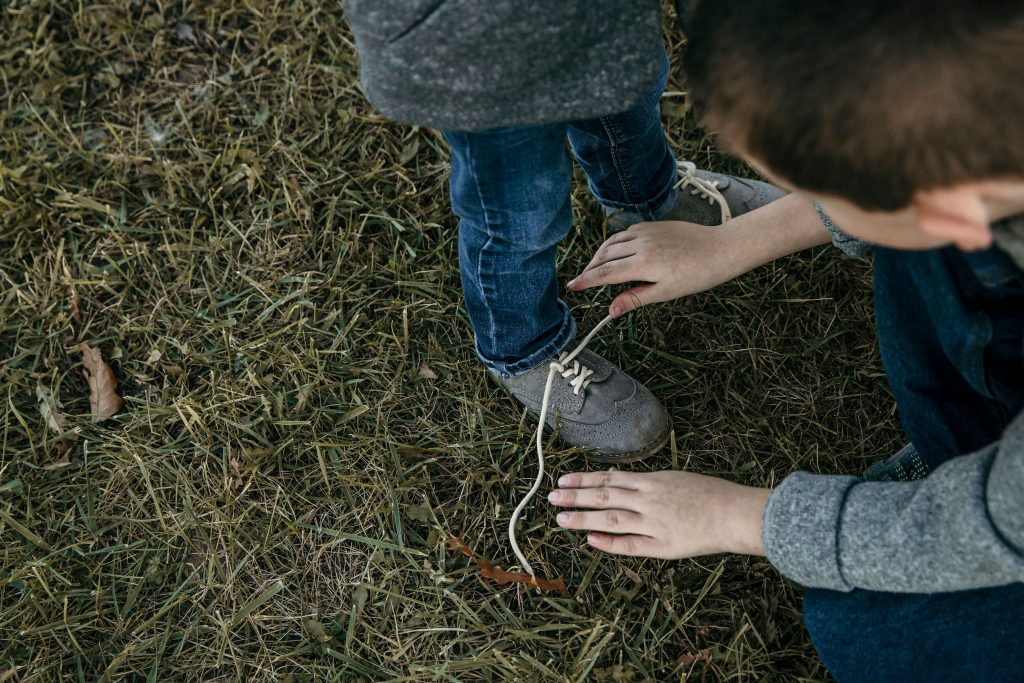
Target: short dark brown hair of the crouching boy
column 867, row 100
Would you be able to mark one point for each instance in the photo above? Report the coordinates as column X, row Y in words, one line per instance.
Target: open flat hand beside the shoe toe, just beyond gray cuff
column 667, row 515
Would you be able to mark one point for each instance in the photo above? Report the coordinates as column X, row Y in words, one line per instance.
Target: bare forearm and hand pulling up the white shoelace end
column 677, row 259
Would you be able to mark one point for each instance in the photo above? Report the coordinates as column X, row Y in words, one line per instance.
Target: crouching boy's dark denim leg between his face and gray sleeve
column 950, row 331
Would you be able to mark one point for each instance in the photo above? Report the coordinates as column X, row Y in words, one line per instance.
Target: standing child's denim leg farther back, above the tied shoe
column 626, row 157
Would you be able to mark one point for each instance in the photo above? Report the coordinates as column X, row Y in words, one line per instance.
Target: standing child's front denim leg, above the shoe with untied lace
column 510, row 188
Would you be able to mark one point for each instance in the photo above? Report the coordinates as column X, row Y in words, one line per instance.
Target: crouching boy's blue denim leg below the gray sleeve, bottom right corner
column 866, row 636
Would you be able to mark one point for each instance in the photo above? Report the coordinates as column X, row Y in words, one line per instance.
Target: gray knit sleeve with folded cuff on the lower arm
column 961, row 528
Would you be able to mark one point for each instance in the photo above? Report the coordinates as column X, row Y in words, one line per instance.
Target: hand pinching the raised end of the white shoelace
column 674, row 260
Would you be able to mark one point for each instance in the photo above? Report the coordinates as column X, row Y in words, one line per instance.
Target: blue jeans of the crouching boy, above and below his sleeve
column 952, row 335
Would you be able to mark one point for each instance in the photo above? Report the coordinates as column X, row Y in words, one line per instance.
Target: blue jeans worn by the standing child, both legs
column 510, row 189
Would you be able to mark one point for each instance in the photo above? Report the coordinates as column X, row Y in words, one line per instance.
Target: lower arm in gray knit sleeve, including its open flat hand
column 961, row 528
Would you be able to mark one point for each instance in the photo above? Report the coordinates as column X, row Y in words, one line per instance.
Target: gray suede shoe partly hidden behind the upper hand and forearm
column 707, row 199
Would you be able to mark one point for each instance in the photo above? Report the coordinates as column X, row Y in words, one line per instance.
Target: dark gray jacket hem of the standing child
column 473, row 65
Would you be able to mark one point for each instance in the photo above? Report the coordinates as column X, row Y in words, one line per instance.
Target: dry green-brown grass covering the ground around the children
column 200, row 191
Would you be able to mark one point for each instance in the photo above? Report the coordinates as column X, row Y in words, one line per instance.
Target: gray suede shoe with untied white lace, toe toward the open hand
column 595, row 406
